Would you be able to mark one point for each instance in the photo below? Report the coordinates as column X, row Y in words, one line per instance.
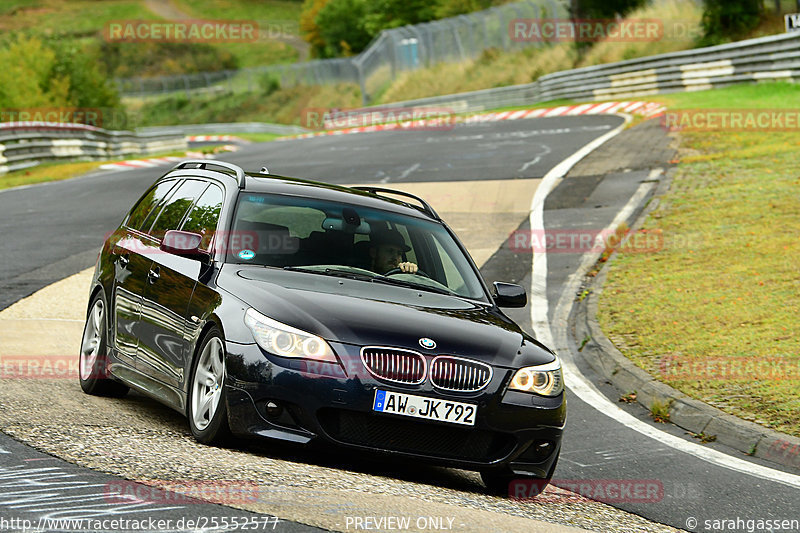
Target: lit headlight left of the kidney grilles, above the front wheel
column 286, row 341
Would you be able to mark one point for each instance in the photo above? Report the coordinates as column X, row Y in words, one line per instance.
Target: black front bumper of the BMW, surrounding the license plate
column 299, row 401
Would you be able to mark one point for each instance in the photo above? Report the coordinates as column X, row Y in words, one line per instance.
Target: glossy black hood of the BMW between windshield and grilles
column 372, row 314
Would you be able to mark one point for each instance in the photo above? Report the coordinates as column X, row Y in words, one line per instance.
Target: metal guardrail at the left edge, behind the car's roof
column 27, row 144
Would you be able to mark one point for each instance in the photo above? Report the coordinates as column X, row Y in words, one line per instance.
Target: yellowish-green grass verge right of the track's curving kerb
column 723, row 291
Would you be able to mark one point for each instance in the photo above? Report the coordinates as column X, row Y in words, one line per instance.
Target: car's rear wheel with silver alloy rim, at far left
column 93, row 362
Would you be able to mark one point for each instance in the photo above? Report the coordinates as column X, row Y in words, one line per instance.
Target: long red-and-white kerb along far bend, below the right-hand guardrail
column 645, row 109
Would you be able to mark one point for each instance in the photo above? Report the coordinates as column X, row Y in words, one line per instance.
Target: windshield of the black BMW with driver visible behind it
column 337, row 239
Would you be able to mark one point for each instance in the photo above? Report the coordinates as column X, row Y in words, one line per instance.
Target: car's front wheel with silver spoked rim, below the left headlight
column 208, row 416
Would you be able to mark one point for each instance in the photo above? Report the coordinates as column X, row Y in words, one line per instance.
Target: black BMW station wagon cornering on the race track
column 265, row 306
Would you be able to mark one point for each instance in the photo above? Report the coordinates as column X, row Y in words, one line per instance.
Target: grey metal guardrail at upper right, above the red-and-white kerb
column 775, row 57
